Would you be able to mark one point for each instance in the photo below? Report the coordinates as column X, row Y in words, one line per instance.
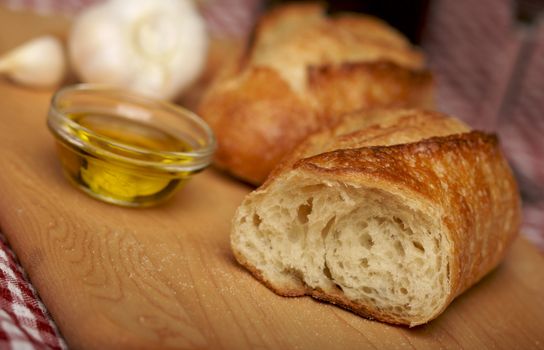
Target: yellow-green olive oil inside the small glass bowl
column 119, row 162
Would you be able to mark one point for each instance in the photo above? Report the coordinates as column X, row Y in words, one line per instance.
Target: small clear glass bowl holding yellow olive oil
column 124, row 148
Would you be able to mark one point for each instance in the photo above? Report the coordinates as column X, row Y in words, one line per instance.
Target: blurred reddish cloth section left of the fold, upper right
column 471, row 48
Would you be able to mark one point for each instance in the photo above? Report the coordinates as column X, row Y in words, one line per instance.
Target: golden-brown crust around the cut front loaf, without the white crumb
column 460, row 176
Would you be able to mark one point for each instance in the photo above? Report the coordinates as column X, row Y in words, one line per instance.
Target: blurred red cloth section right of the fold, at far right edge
column 522, row 129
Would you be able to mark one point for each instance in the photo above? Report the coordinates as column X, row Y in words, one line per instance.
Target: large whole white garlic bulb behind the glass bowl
column 155, row 47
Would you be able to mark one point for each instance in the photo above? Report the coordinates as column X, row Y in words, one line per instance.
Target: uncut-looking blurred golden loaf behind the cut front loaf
column 300, row 73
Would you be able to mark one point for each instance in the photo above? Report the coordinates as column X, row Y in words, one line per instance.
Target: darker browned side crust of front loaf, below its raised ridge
column 464, row 175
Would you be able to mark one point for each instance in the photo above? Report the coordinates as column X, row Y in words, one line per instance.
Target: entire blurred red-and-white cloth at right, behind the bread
column 490, row 72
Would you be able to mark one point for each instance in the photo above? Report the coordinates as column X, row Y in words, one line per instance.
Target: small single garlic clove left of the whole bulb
column 38, row 63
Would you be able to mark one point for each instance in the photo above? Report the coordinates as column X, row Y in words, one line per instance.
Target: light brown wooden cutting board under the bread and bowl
column 165, row 277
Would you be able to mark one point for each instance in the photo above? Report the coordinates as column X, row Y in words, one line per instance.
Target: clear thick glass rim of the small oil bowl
column 201, row 156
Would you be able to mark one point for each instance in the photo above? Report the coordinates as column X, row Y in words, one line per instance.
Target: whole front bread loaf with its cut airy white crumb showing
column 392, row 214
